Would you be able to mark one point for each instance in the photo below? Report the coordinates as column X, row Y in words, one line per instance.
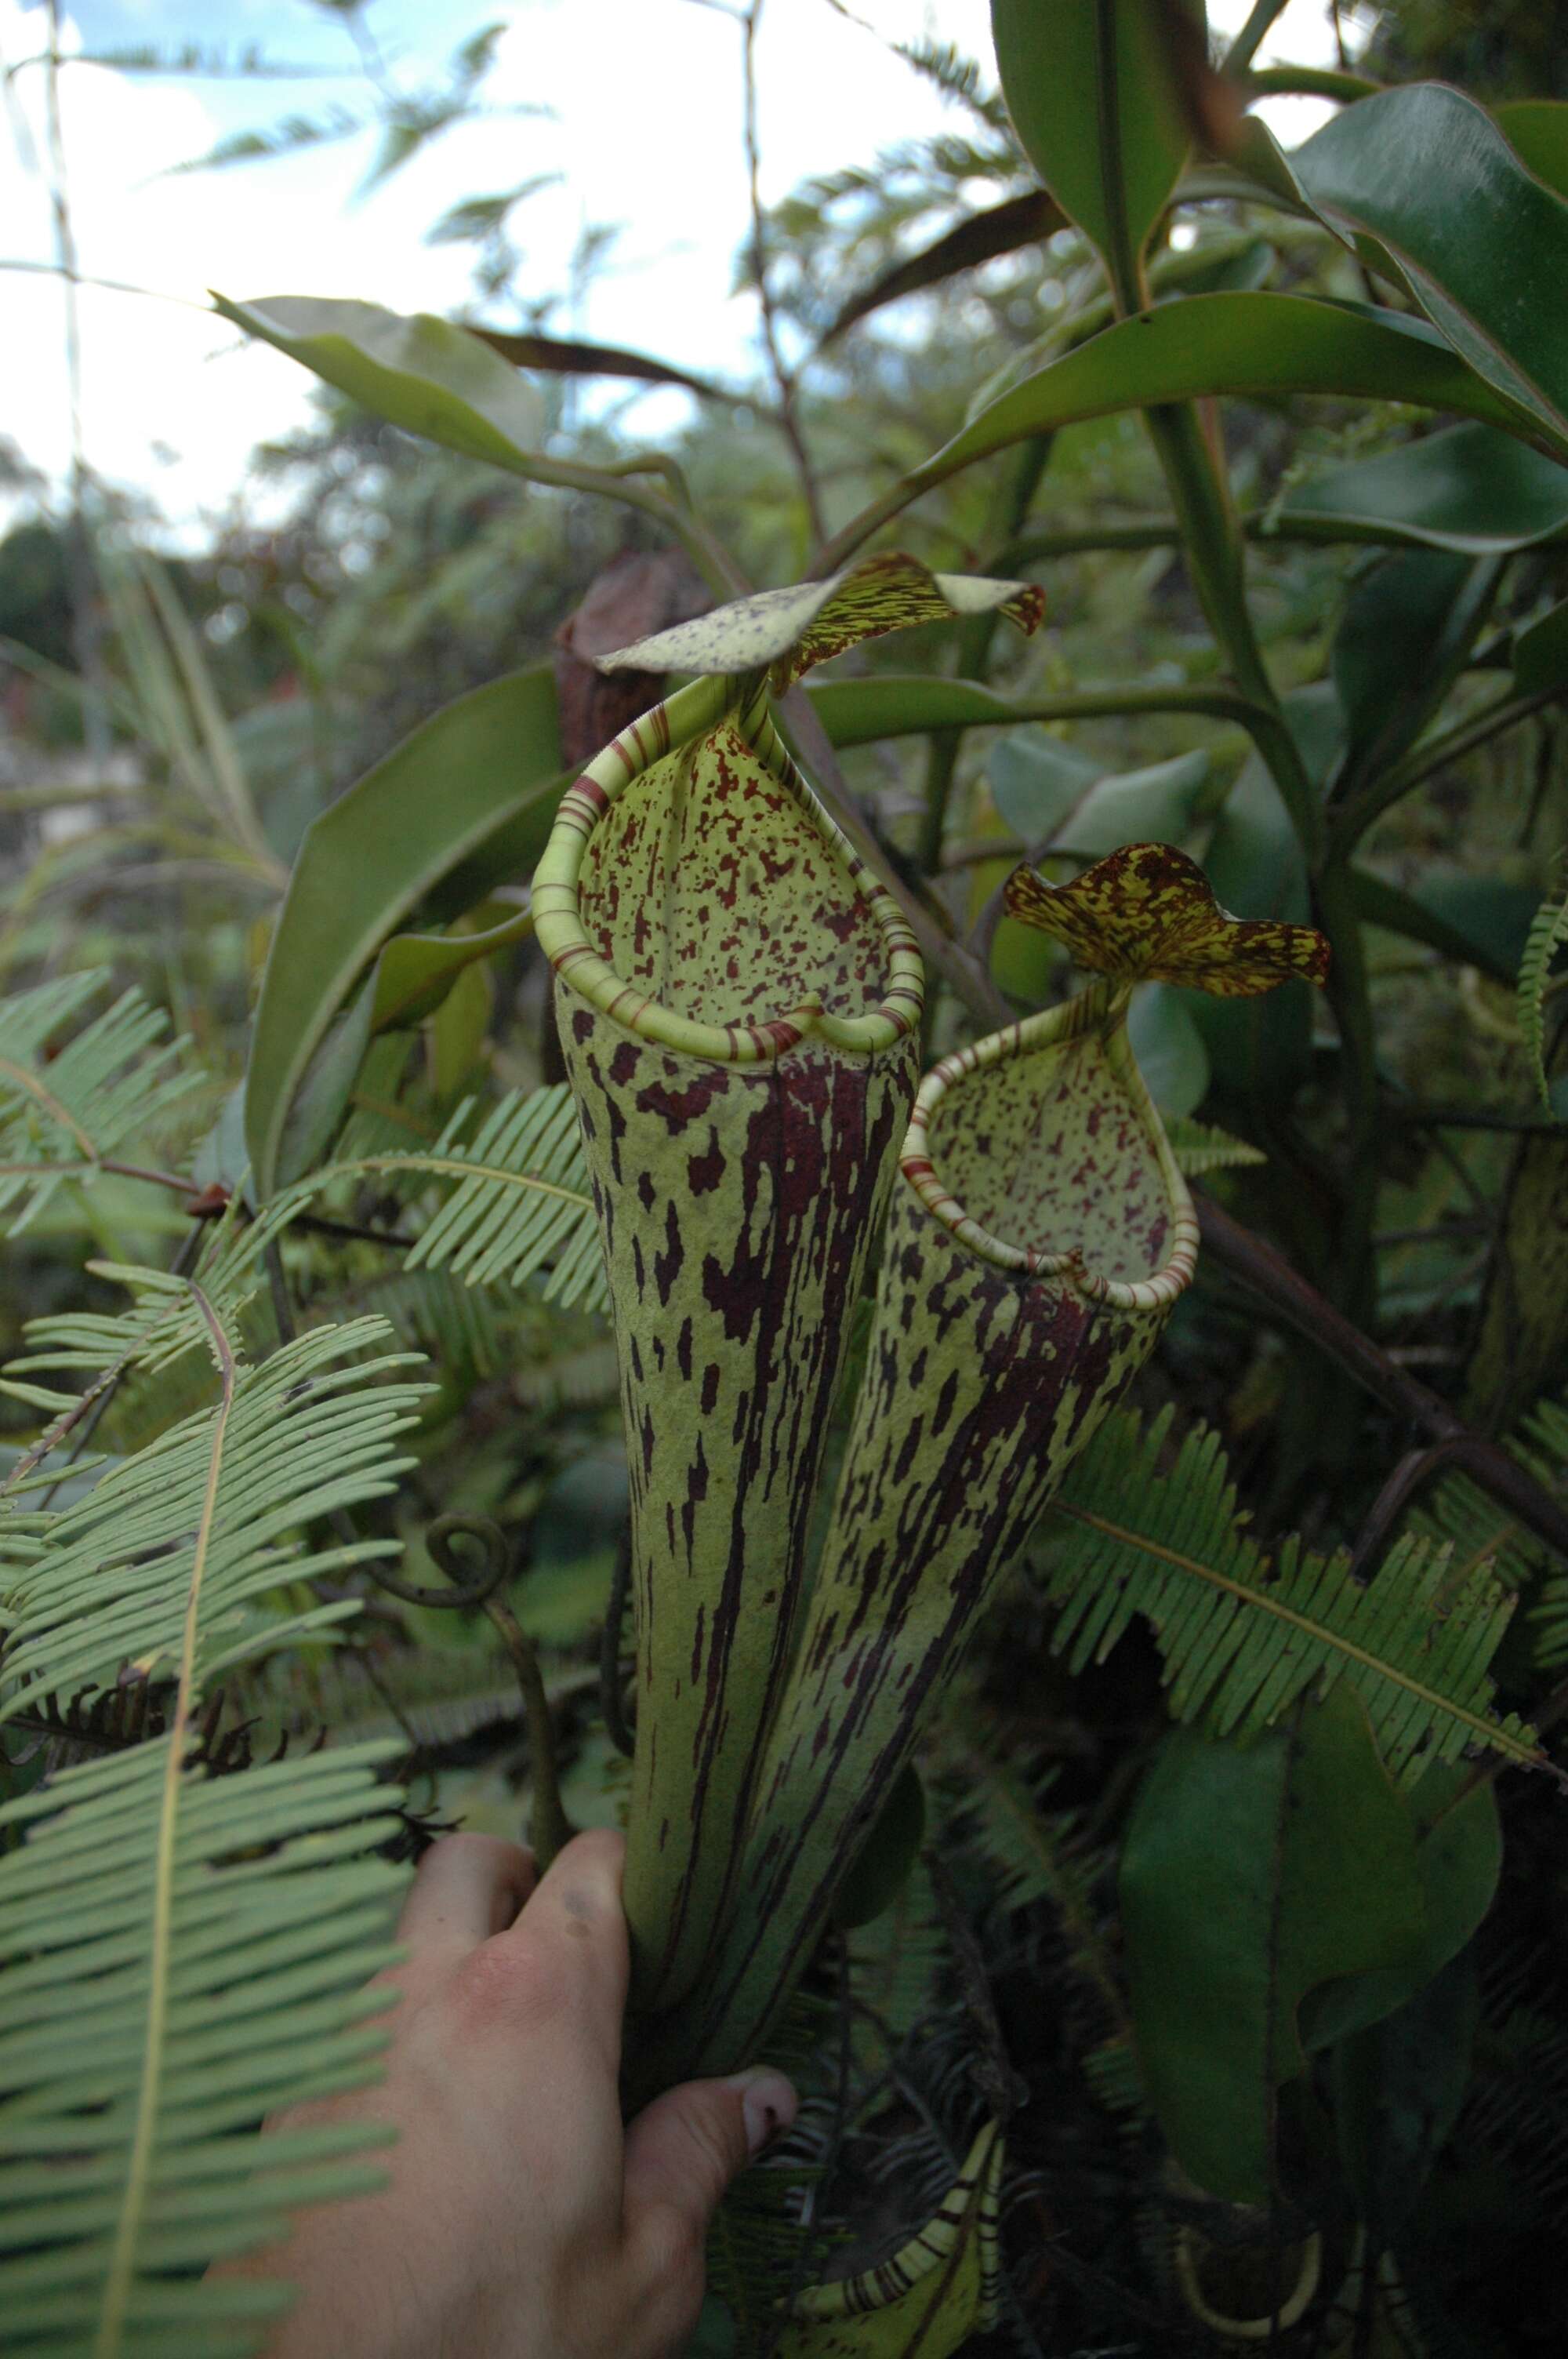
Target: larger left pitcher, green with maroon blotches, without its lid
column 739, row 1013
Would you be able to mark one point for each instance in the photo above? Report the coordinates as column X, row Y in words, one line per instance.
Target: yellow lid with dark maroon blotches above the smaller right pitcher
column 1149, row 912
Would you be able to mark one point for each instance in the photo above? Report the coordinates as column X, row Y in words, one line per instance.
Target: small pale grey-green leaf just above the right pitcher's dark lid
column 1069, row 803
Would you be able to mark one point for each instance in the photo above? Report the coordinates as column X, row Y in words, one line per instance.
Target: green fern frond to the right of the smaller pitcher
column 1241, row 1636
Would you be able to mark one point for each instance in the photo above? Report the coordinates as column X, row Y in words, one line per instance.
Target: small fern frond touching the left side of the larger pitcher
column 522, row 1200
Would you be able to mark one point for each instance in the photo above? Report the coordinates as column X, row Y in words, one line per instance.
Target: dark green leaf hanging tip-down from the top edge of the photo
column 1095, row 107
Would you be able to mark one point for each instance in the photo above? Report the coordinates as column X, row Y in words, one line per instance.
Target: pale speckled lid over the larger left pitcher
column 789, row 631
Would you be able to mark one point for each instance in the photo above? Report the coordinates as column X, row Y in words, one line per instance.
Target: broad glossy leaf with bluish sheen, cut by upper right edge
column 1480, row 242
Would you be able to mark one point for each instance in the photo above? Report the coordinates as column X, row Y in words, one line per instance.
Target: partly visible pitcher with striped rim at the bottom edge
column 930, row 2296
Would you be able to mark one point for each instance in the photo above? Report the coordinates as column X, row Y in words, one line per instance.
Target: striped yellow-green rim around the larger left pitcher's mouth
column 640, row 1008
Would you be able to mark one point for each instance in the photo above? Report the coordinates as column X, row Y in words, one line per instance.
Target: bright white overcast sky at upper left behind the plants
column 647, row 136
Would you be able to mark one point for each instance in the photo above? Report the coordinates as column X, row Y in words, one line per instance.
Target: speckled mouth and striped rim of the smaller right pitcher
column 1147, row 1226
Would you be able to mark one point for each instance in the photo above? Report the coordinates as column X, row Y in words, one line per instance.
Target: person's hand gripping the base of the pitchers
column 522, row 2221
